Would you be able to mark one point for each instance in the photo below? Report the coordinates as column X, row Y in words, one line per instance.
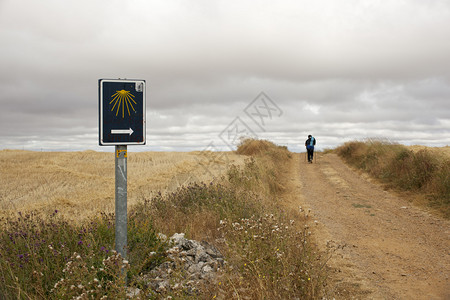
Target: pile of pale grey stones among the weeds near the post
column 190, row 266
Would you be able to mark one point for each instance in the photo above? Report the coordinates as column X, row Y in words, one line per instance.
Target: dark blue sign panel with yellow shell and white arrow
column 122, row 112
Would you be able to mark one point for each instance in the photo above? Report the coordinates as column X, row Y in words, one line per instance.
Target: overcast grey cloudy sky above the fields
column 278, row 70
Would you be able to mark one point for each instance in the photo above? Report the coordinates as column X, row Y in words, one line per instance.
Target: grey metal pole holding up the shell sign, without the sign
column 121, row 200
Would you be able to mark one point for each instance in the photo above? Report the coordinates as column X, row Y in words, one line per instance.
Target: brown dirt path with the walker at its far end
column 384, row 247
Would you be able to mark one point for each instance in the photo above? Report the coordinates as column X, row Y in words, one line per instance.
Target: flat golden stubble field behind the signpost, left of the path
column 80, row 184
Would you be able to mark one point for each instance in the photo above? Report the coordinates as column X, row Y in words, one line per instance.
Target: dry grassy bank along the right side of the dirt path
column 423, row 173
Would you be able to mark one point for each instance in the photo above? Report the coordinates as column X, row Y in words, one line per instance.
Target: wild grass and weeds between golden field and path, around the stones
column 268, row 250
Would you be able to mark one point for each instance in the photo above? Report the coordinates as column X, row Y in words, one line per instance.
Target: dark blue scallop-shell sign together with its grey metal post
column 121, row 123
